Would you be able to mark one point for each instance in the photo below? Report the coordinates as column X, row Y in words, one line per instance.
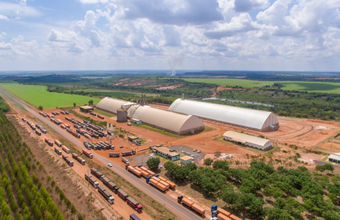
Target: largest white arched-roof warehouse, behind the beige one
column 250, row 118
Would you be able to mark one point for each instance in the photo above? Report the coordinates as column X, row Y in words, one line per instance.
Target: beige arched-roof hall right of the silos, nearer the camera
column 167, row 120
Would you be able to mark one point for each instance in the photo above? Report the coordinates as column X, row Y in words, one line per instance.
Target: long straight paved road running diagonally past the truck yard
column 171, row 205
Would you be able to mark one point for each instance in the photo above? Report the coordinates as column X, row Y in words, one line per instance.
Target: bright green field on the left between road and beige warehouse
column 39, row 96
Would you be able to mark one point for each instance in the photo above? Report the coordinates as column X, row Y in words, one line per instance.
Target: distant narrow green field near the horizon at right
column 325, row 87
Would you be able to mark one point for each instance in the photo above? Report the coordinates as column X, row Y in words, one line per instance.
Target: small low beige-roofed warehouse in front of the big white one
column 248, row 140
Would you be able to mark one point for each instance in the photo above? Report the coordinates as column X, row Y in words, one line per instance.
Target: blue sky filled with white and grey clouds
column 264, row 35
